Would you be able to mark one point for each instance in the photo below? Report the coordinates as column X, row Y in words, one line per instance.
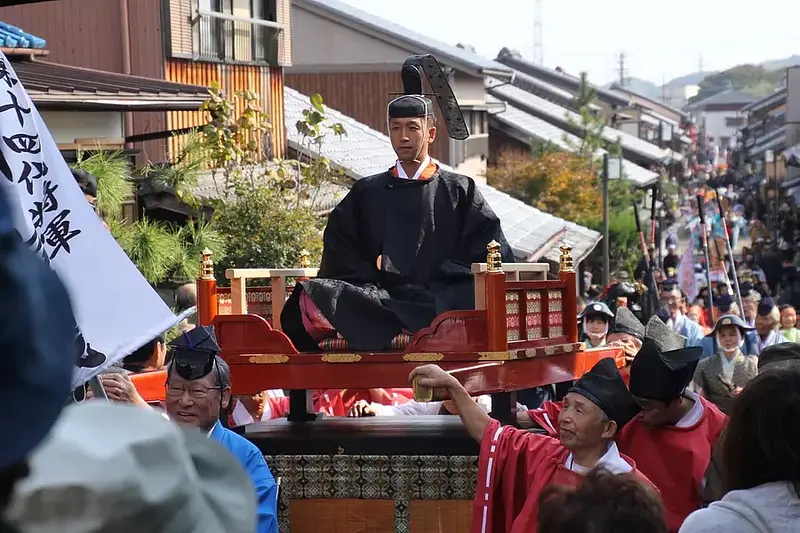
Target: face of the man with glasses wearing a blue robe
column 195, row 403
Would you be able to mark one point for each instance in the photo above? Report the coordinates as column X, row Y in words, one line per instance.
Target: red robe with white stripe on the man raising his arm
column 513, row 469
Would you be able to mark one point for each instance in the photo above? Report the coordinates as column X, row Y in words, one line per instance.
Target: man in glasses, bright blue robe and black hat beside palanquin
column 198, row 393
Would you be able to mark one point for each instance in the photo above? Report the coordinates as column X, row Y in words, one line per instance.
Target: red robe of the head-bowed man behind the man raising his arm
column 675, row 459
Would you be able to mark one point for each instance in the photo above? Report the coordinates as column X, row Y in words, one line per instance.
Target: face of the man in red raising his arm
column 581, row 424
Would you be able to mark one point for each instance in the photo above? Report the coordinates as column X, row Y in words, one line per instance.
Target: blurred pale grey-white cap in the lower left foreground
column 113, row 468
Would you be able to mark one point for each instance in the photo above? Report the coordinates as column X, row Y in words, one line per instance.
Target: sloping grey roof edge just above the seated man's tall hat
column 418, row 43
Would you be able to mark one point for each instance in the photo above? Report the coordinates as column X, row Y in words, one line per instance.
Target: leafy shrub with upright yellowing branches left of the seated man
column 267, row 210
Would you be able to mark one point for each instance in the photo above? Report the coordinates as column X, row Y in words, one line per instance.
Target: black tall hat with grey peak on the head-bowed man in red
column 664, row 366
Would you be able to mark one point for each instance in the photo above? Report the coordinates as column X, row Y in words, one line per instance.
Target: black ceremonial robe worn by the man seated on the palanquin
column 428, row 232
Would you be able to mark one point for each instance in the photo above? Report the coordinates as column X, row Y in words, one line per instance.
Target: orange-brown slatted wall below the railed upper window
column 265, row 81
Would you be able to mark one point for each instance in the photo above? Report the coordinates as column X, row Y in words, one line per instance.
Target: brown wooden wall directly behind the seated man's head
column 362, row 96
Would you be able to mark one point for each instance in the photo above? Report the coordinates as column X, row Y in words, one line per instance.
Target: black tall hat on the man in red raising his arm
column 604, row 387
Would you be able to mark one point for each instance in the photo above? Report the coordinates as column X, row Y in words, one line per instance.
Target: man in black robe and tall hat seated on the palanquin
column 399, row 247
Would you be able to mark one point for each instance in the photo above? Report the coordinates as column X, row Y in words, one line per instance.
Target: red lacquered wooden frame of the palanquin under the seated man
column 473, row 345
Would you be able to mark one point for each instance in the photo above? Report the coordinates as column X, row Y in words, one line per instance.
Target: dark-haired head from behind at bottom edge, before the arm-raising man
column 602, row 502
